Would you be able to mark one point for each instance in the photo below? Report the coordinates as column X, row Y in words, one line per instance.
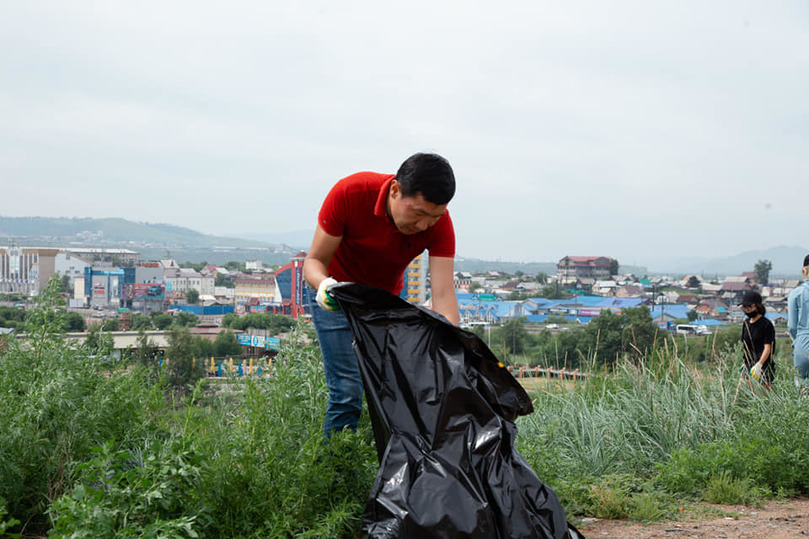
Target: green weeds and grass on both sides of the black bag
column 86, row 452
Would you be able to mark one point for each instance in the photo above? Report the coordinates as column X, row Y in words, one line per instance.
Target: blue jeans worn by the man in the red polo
column 343, row 376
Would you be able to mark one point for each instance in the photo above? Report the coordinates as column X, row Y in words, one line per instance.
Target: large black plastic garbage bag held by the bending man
column 442, row 408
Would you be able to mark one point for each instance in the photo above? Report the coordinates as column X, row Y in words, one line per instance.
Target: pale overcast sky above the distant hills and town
column 632, row 129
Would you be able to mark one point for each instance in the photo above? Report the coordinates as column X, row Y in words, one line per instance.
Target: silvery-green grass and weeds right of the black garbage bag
column 668, row 428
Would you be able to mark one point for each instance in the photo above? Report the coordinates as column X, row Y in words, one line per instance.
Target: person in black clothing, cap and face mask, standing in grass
column 758, row 339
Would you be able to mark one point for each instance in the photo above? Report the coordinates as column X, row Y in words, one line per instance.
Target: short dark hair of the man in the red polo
column 428, row 174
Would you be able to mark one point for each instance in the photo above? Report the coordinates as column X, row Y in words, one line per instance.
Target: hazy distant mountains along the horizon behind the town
column 156, row 241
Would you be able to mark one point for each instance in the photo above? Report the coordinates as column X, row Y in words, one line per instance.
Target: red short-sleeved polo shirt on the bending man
column 373, row 251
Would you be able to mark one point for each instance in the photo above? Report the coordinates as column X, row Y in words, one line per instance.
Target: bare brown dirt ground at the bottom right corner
column 776, row 520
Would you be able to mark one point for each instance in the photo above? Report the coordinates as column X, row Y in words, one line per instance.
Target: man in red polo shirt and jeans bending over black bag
column 370, row 227
